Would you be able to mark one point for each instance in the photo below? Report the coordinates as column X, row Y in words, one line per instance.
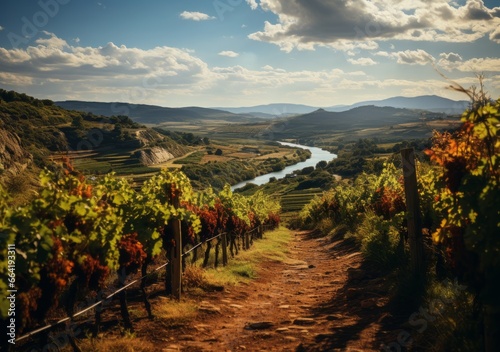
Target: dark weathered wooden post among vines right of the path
column 413, row 212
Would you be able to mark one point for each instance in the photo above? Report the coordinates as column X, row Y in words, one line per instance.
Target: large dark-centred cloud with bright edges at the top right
column 345, row 24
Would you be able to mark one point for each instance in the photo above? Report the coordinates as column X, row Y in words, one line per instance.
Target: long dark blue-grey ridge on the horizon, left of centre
column 152, row 114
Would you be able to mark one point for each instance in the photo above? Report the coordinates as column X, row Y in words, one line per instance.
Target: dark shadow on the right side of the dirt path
column 362, row 301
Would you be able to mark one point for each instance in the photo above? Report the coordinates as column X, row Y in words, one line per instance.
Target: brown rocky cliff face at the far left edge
column 13, row 158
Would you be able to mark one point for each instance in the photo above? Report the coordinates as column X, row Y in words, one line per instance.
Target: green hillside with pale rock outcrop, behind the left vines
column 33, row 132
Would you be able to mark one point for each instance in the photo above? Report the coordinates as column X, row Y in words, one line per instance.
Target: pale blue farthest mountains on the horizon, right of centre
column 432, row 103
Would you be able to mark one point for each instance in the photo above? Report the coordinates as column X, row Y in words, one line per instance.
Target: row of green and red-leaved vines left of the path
column 78, row 234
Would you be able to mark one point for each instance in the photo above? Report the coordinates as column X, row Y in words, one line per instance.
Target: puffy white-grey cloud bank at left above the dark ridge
column 106, row 70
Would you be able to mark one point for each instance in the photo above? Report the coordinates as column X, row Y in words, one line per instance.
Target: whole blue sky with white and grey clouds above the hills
column 247, row 52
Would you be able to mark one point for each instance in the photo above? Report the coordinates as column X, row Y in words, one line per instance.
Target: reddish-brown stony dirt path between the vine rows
column 319, row 299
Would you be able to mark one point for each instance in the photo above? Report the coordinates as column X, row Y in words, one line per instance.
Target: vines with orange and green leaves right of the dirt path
column 457, row 228
